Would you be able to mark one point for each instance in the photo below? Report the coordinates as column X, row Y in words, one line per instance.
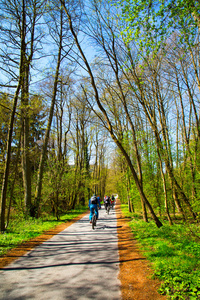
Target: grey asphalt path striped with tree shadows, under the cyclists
column 78, row 263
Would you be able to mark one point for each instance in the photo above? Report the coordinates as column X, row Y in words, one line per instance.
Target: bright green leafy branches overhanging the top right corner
column 149, row 23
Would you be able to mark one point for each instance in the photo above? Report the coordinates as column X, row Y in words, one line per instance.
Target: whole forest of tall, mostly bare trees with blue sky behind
column 100, row 96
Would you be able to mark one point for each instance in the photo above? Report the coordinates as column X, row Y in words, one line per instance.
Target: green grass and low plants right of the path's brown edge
column 174, row 252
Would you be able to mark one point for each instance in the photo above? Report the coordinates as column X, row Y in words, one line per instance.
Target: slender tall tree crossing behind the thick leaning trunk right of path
column 104, row 31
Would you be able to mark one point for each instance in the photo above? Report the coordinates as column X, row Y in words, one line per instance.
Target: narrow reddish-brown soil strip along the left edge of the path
column 23, row 248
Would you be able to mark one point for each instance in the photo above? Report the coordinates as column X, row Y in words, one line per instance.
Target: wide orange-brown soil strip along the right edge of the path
column 135, row 272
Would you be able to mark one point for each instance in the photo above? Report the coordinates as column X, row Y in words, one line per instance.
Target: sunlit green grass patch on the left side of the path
column 21, row 230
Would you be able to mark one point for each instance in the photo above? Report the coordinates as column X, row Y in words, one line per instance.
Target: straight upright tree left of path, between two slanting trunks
column 21, row 37
